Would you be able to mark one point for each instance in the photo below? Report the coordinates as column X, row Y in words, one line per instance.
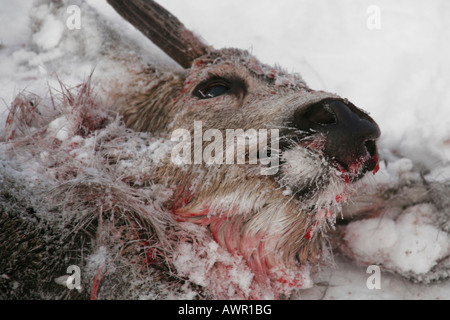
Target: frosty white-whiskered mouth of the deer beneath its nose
column 311, row 174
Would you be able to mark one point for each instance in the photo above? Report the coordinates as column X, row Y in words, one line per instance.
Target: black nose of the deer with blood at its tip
column 349, row 132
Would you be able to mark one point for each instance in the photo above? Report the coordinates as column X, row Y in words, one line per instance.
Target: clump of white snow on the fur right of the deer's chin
column 410, row 243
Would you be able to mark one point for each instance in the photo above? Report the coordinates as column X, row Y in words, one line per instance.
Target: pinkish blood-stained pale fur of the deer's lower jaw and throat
column 276, row 236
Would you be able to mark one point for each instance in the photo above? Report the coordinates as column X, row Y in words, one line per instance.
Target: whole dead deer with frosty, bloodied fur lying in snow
column 217, row 181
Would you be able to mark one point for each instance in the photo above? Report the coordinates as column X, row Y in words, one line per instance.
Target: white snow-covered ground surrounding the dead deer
column 400, row 73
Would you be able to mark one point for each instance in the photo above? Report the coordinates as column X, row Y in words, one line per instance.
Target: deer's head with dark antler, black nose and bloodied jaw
column 325, row 144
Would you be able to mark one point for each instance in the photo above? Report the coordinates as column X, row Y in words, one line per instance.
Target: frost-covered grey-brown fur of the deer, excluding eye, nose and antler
column 90, row 183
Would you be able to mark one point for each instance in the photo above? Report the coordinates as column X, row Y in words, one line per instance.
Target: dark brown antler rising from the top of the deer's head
column 161, row 27
